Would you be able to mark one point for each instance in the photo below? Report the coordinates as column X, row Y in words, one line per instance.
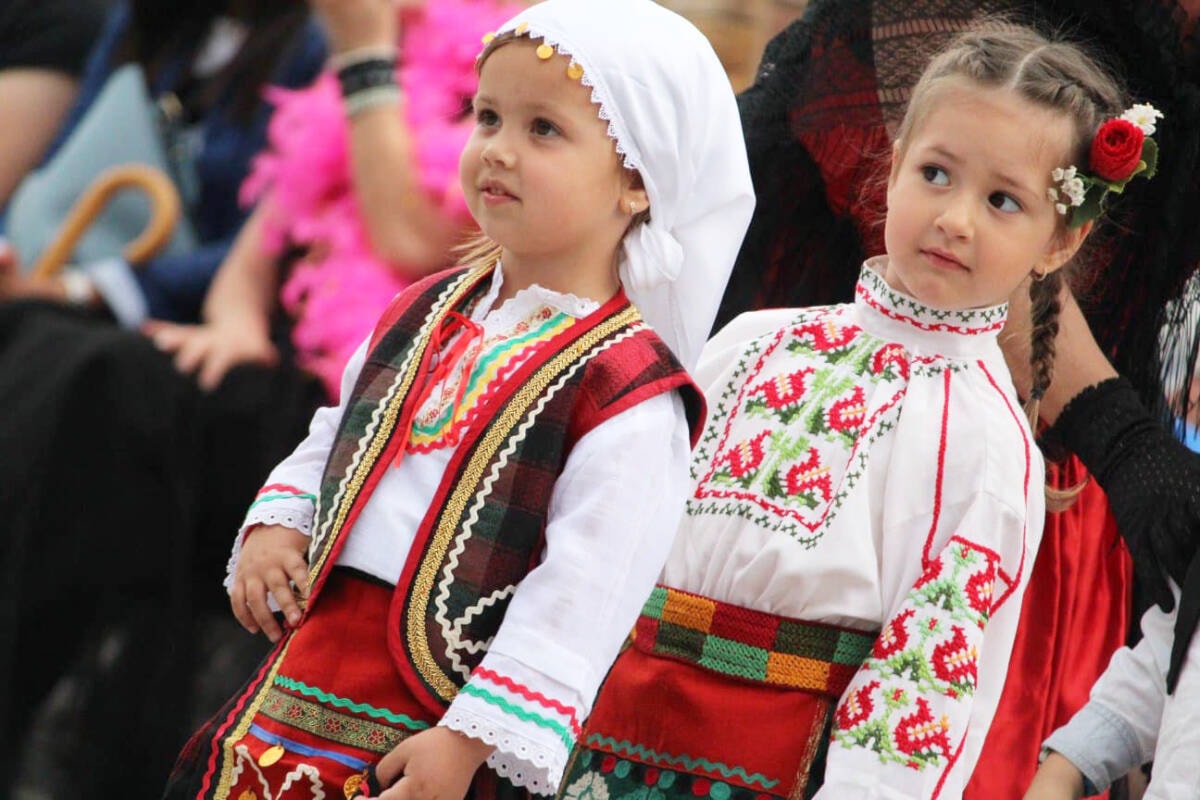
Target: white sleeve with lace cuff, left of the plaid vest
column 289, row 498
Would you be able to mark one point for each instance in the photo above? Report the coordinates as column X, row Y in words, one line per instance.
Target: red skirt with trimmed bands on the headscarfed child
column 327, row 705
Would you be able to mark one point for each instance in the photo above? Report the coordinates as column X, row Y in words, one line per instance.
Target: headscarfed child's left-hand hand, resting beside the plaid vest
column 273, row 558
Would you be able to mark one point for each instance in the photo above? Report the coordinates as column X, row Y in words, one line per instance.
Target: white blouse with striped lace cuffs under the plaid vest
column 613, row 516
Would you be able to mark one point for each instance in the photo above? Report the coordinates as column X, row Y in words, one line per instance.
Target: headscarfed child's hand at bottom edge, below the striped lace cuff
column 436, row 765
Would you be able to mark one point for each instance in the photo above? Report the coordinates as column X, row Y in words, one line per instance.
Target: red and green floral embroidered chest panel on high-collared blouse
column 795, row 423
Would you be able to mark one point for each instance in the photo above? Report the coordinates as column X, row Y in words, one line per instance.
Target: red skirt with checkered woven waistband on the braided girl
column 715, row 701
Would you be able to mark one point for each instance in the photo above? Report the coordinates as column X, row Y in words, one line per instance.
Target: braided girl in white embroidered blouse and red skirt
column 867, row 496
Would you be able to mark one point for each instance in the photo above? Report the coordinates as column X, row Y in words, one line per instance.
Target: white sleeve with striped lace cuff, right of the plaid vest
column 613, row 520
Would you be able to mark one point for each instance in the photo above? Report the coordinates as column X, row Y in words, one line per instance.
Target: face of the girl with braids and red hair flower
column 969, row 218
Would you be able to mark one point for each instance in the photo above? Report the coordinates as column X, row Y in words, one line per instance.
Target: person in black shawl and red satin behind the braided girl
column 820, row 121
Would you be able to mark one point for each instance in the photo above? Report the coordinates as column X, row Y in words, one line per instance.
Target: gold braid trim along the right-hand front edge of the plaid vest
column 470, row 478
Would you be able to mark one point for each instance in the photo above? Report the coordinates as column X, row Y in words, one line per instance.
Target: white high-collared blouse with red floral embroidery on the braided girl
column 869, row 466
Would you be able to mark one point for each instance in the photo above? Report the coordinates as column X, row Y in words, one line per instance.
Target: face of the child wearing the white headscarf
column 541, row 175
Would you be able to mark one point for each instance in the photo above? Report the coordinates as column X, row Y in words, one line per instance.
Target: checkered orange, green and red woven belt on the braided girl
column 752, row 646
